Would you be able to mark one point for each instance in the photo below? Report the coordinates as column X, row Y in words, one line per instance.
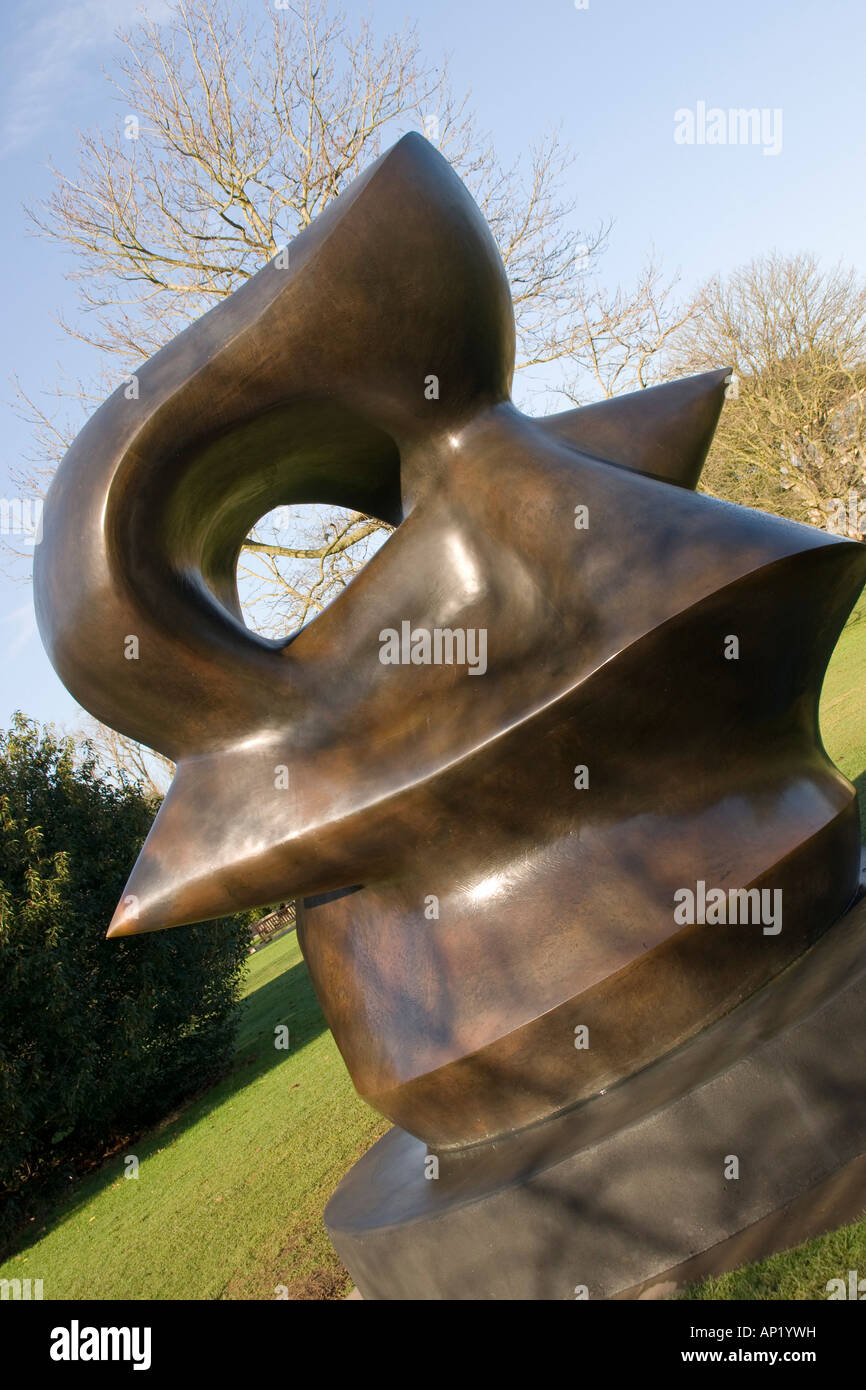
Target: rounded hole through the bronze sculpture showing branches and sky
column 301, row 559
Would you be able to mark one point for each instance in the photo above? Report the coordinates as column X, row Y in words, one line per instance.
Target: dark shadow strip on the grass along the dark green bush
column 286, row 1000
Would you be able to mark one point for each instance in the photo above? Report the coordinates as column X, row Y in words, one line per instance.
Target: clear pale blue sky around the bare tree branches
column 611, row 76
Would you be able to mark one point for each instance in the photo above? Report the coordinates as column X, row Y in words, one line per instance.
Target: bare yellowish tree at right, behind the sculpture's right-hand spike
column 793, row 439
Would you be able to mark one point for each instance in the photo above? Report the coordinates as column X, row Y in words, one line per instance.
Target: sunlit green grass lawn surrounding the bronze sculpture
column 230, row 1193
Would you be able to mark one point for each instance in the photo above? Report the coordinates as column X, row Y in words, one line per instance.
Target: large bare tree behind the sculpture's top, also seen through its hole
column 234, row 134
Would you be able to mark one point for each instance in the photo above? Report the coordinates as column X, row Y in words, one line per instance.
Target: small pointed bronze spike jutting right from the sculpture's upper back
column 664, row 432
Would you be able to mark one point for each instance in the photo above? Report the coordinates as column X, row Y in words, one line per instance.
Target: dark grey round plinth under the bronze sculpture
column 630, row 1193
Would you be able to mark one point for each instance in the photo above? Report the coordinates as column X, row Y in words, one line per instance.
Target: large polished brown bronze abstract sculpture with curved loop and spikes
column 568, row 694
